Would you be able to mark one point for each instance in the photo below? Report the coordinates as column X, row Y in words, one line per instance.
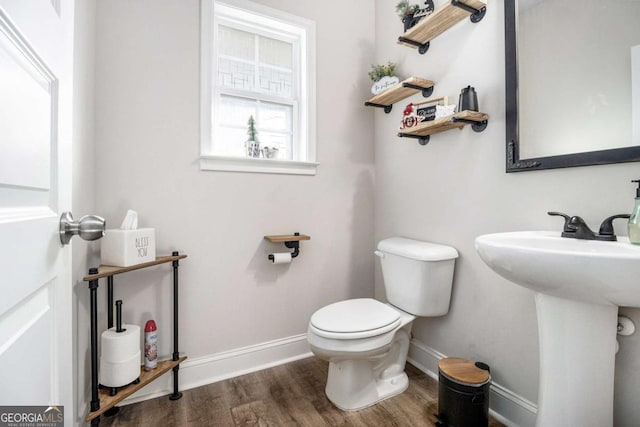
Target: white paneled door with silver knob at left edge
column 36, row 47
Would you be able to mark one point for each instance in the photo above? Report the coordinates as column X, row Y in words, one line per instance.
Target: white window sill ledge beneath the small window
column 245, row 164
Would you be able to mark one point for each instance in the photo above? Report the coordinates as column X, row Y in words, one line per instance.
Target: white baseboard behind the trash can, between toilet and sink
column 506, row 406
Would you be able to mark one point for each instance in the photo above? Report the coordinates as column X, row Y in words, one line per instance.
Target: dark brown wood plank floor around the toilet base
column 287, row 395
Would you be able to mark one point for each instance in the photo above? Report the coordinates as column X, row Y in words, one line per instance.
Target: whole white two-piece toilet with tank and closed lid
column 365, row 341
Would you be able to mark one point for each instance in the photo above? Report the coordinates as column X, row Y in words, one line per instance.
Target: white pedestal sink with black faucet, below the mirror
column 579, row 285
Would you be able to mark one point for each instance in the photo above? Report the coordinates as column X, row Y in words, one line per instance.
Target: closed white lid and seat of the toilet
column 354, row 319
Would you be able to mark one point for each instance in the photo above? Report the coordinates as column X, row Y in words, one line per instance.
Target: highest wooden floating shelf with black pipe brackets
column 440, row 21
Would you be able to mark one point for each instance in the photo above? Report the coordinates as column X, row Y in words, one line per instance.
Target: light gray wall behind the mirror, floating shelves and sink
column 455, row 189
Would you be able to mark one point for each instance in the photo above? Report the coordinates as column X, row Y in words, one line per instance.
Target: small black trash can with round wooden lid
column 463, row 393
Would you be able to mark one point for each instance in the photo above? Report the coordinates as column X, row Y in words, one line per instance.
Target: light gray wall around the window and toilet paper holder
column 147, row 135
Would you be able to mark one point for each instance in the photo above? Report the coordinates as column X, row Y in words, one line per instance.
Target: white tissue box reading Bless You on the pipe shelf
column 124, row 248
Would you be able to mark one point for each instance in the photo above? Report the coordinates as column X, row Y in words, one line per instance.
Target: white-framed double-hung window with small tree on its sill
column 257, row 62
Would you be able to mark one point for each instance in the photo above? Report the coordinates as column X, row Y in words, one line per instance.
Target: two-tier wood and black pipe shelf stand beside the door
column 101, row 399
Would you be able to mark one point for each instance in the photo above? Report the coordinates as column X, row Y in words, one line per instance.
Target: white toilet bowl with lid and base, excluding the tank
column 366, row 363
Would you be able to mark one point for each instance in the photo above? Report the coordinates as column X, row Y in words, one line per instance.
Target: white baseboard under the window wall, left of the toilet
column 221, row 366
